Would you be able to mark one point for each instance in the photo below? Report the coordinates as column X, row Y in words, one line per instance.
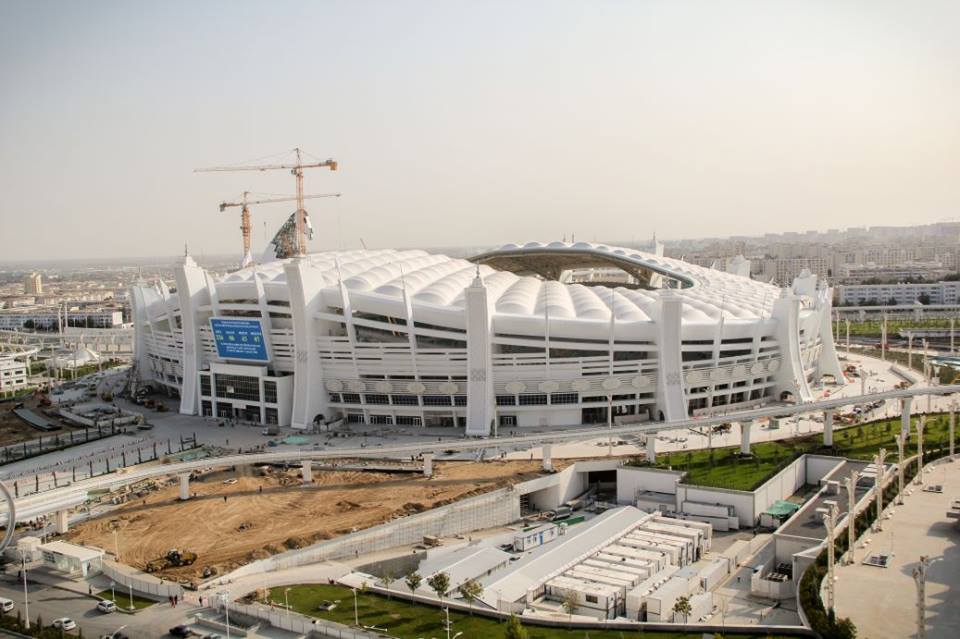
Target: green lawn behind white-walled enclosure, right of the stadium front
column 724, row 468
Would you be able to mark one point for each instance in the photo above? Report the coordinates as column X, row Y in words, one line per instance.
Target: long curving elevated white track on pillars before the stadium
column 74, row 494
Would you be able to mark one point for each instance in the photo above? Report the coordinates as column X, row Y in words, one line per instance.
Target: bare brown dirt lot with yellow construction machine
column 251, row 524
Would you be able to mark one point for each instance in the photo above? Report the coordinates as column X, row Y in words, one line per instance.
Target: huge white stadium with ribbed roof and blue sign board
column 536, row 335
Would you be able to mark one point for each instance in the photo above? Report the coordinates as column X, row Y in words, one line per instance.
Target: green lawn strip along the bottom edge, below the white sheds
column 407, row 620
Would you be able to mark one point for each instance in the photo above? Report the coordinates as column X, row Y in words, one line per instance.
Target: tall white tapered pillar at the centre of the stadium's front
column 480, row 398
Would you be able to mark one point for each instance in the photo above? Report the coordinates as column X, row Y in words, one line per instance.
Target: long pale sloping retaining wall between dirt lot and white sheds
column 496, row 508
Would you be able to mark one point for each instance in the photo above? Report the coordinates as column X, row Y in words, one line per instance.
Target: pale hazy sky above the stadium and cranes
column 473, row 122
